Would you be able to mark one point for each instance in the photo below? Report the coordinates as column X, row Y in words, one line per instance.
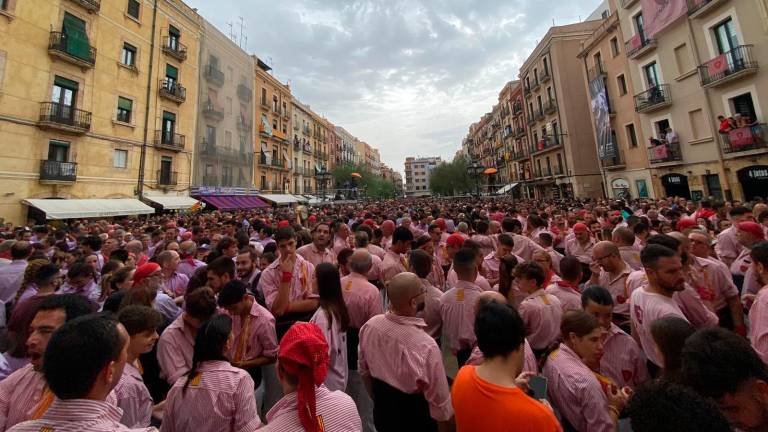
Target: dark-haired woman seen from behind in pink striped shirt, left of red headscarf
column 214, row 395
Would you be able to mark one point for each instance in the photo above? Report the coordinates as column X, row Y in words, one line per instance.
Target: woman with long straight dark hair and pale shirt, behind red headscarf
column 333, row 319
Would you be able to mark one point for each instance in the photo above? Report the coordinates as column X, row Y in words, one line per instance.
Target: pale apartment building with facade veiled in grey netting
column 224, row 156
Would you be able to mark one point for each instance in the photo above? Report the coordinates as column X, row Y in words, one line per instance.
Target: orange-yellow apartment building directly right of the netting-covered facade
column 273, row 170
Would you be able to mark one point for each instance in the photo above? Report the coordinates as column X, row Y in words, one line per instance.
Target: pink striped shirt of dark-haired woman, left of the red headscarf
column 222, row 399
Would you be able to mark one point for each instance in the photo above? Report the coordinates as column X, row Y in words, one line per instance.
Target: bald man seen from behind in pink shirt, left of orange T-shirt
column 402, row 365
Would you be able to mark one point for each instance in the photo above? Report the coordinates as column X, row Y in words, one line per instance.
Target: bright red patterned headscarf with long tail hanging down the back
column 304, row 355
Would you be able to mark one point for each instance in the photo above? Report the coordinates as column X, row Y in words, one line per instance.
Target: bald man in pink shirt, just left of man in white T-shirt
column 610, row 271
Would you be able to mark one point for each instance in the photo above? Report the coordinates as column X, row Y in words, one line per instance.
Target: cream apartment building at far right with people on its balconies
column 691, row 62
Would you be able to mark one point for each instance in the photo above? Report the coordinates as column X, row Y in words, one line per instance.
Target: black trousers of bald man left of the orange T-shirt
column 396, row 411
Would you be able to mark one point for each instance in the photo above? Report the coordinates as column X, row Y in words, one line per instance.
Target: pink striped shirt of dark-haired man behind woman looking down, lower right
column 623, row 361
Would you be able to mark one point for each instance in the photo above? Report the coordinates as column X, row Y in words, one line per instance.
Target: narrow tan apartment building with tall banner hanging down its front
column 619, row 138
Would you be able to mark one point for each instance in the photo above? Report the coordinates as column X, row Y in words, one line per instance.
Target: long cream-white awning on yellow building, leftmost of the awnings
column 89, row 208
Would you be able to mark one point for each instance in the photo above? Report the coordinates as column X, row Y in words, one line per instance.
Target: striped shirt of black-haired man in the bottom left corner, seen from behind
column 78, row 415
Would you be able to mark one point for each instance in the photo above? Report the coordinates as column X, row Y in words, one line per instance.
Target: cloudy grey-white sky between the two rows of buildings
column 406, row 76
